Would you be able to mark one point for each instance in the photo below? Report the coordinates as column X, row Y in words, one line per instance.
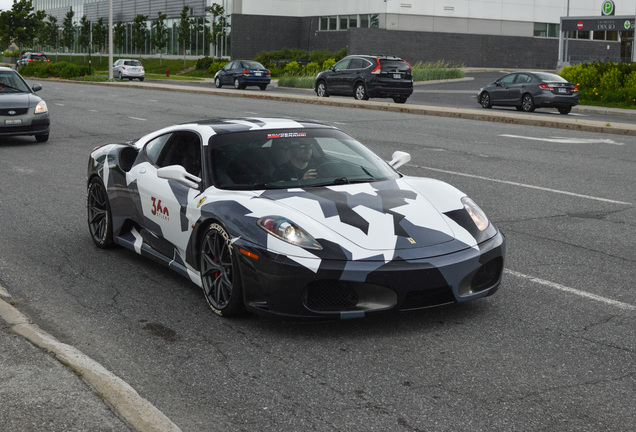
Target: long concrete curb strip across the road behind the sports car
column 561, row 122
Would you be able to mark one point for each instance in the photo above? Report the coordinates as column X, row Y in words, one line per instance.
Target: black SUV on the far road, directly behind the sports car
column 367, row 76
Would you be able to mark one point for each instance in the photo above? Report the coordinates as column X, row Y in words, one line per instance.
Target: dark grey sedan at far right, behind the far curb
column 529, row 90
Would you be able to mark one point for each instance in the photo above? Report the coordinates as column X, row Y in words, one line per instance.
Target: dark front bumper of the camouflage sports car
column 276, row 285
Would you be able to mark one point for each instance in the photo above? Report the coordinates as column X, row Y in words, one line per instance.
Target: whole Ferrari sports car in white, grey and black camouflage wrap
column 291, row 218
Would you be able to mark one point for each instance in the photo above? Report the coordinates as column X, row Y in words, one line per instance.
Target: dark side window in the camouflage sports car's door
column 183, row 148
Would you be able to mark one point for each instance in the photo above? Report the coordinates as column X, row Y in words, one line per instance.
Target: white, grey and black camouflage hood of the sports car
column 387, row 215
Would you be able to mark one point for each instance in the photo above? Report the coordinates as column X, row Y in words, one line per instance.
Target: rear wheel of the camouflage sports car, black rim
column 98, row 214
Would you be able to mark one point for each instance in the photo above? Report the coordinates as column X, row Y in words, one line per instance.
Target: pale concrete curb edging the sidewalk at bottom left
column 137, row 412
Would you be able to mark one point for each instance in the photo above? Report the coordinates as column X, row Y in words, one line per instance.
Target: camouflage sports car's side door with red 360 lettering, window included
column 163, row 203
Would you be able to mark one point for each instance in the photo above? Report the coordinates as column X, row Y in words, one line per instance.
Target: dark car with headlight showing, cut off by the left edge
column 22, row 112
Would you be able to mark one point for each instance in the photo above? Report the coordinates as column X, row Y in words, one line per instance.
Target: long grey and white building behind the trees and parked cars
column 481, row 33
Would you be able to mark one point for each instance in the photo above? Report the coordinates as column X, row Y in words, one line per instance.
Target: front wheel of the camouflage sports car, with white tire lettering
column 220, row 278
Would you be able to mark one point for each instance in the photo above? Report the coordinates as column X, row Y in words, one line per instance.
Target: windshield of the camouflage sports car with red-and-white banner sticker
column 281, row 159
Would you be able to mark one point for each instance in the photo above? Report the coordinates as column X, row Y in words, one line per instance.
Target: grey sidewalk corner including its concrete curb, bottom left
column 42, row 388
